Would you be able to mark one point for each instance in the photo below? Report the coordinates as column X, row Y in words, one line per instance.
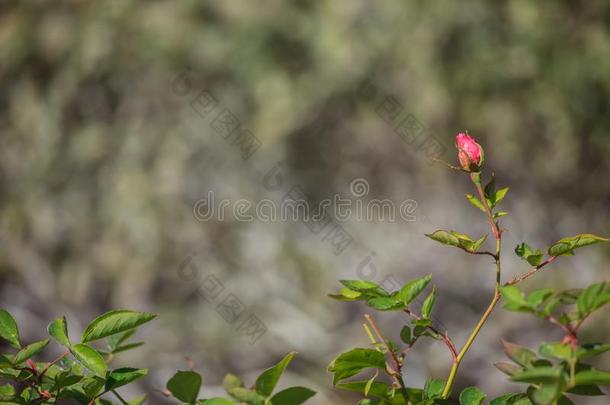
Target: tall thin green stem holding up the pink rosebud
column 476, row 179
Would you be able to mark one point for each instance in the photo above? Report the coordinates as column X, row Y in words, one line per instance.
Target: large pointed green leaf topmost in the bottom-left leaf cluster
column 114, row 322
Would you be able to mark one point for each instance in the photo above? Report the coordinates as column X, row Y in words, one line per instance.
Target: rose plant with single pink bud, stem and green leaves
column 553, row 375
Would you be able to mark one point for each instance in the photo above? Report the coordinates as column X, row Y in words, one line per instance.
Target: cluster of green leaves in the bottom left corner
column 82, row 374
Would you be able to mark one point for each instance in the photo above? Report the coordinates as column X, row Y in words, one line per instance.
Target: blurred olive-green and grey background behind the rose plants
column 103, row 158
